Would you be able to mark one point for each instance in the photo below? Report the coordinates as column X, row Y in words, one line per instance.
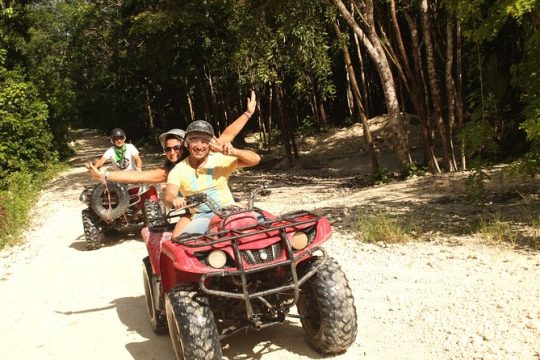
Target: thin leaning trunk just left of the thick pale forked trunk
column 358, row 99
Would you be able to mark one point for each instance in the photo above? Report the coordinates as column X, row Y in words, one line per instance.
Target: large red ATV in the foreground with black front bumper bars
column 247, row 271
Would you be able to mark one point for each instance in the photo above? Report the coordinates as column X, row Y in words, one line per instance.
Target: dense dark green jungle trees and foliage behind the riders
column 467, row 69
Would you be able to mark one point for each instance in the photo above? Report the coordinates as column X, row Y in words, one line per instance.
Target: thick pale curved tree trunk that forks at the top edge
column 378, row 56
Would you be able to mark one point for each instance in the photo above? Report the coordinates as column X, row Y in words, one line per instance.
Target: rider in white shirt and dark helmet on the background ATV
column 122, row 156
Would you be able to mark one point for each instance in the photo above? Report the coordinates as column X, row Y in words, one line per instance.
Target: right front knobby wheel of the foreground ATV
column 326, row 308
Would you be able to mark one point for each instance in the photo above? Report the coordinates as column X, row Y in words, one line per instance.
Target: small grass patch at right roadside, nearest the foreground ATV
column 381, row 227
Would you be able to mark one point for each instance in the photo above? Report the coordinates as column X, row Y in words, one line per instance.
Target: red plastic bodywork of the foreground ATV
column 177, row 263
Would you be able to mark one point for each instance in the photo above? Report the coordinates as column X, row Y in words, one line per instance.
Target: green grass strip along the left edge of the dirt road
column 18, row 194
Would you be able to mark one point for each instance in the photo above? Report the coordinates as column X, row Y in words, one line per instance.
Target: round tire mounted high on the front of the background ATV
column 103, row 211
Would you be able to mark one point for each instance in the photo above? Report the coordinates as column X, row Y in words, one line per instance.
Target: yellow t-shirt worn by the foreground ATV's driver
column 211, row 179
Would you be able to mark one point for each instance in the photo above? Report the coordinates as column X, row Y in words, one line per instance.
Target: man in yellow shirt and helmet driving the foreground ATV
column 204, row 171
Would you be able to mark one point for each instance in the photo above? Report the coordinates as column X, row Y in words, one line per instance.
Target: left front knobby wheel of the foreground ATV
column 191, row 324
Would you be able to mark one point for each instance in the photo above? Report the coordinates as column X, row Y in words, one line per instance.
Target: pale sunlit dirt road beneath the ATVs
column 446, row 299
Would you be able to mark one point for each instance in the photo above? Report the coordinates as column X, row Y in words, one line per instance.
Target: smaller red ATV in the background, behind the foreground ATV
column 112, row 206
